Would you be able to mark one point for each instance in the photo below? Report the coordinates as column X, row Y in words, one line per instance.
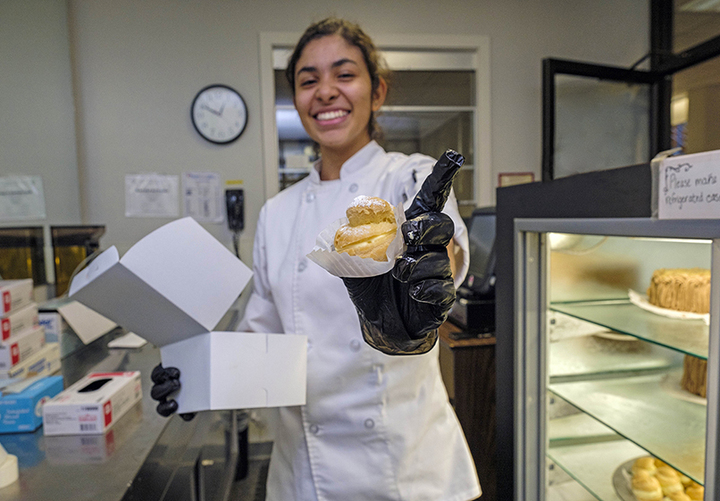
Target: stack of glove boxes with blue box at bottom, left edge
column 26, row 359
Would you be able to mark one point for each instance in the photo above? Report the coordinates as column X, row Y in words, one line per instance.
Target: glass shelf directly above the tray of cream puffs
column 646, row 410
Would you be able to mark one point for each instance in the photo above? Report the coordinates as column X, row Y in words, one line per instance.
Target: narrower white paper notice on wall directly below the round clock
column 202, row 199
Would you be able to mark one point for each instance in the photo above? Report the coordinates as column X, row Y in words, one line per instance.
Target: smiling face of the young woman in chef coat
column 333, row 94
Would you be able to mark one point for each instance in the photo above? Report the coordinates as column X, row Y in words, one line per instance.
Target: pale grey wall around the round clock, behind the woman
column 137, row 65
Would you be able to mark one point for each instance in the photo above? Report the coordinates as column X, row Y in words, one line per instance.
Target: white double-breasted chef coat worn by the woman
column 375, row 427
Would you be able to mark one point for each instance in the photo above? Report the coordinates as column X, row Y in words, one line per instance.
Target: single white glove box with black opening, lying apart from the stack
column 93, row 404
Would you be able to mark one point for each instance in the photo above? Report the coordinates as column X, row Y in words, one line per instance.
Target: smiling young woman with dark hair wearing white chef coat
column 375, row 427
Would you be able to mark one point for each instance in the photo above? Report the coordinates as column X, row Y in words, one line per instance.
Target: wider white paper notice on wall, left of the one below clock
column 151, row 195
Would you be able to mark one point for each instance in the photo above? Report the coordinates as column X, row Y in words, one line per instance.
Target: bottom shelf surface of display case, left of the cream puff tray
column 592, row 465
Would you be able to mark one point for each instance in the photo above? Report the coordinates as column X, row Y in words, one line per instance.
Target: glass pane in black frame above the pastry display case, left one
column 599, row 125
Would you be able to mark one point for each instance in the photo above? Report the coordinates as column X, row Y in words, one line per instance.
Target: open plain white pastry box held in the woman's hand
column 174, row 286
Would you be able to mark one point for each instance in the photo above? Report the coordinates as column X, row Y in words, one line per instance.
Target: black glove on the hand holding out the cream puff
column 401, row 310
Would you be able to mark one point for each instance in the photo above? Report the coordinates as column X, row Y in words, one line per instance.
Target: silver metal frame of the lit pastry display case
column 532, row 256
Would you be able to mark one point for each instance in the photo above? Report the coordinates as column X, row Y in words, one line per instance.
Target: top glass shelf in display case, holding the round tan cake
column 687, row 336
